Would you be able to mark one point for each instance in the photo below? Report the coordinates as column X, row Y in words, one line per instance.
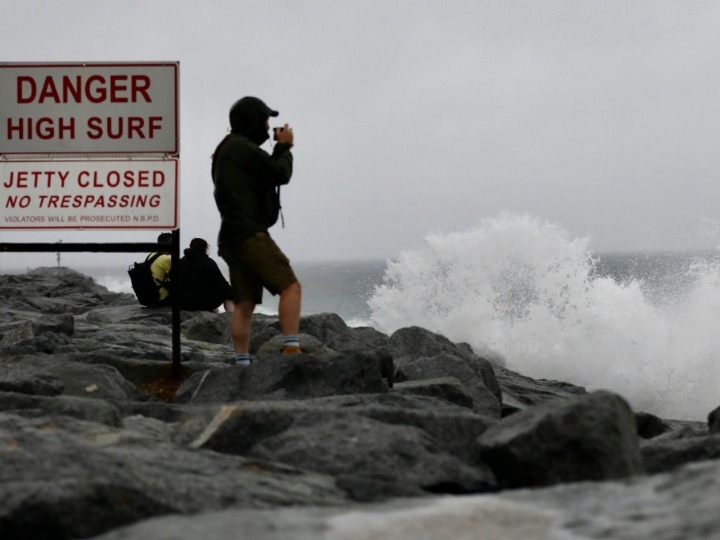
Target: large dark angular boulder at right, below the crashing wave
column 589, row 437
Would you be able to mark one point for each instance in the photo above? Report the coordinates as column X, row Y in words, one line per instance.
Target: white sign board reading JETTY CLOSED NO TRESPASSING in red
column 89, row 194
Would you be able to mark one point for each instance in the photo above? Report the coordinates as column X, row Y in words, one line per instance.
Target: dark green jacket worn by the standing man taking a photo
column 247, row 186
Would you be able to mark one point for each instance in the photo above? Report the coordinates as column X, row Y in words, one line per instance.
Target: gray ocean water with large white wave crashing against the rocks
column 643, row 325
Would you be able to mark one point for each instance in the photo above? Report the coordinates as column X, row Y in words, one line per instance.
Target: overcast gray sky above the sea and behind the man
column 422, row 116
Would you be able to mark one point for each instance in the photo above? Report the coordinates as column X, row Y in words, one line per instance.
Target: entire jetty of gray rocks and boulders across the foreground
column 364, row 436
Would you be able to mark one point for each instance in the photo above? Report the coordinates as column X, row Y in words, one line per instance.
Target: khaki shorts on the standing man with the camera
column 256, row 263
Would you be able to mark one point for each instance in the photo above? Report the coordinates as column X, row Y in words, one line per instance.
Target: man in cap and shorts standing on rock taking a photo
column 247, row 192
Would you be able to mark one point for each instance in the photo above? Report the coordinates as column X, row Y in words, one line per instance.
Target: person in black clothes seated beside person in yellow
column 202, row 284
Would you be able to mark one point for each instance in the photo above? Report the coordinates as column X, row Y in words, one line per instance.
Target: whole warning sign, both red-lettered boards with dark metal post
column 91, row 146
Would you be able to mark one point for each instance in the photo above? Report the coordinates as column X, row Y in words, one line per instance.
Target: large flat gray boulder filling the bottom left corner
column 64, row 478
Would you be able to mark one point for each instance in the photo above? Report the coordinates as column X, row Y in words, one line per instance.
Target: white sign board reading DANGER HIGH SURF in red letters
column 89, row 109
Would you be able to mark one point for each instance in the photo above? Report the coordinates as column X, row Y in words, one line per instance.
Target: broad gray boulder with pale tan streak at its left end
column 374, row 451
